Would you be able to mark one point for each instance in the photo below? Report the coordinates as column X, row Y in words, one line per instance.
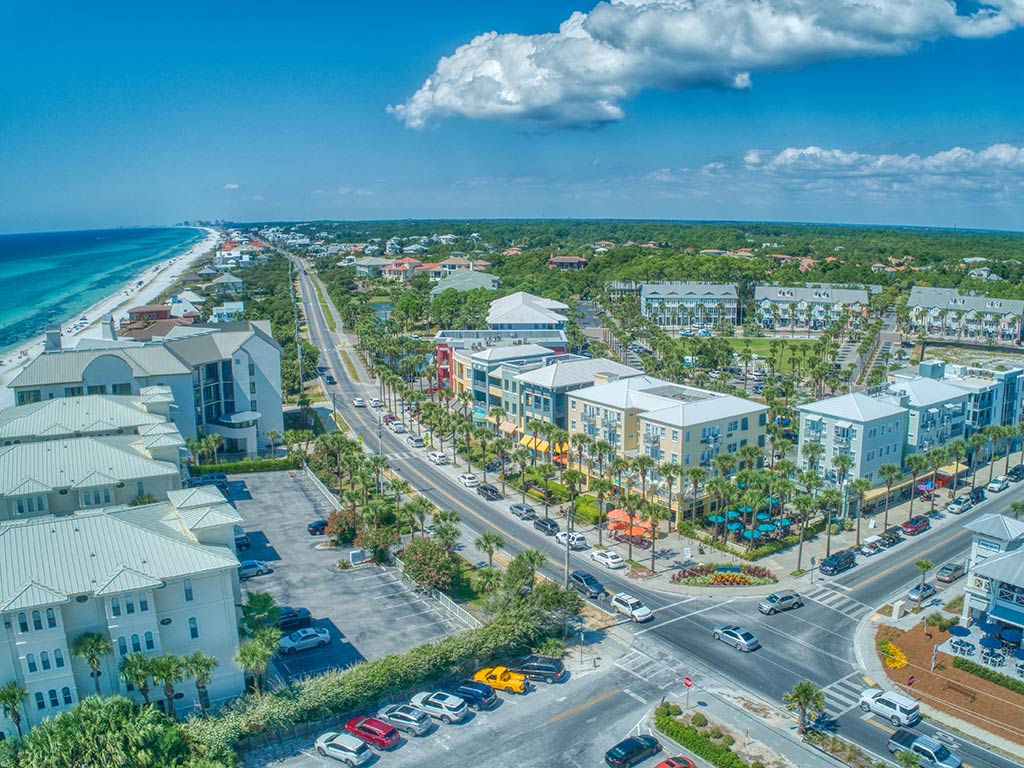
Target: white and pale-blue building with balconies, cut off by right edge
column 995, row 588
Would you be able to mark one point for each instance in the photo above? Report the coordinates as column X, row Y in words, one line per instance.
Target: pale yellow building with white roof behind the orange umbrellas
column 643, row 415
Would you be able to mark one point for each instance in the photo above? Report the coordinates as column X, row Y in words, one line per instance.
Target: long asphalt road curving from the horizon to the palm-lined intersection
column 815, row 643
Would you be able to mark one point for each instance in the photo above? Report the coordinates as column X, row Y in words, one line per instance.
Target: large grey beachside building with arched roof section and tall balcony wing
column 224, row 378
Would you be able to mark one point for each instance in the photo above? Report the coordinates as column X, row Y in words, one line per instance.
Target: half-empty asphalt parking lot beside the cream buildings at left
column 369, row 611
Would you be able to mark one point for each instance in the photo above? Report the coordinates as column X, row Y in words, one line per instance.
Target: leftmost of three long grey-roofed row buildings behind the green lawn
column 678, row 306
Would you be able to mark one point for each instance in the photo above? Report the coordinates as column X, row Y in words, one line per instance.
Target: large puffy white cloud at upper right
column 581, row 74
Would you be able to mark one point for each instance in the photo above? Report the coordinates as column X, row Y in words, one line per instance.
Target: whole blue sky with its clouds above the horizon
column 142, row 113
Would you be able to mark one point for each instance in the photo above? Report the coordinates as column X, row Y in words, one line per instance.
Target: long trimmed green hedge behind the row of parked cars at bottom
column 361, row 687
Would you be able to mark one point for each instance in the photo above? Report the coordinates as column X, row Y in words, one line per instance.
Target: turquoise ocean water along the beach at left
column 55, row 277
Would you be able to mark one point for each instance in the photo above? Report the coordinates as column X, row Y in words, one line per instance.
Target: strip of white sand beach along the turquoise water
column 156, row 280
